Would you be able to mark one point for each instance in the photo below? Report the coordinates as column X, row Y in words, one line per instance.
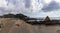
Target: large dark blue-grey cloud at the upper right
column 52, row 6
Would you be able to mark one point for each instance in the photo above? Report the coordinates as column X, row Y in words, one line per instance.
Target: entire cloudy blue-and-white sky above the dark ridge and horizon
column 31, row 8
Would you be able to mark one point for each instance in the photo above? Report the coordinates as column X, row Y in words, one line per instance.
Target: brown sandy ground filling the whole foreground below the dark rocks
column 11, row 25
